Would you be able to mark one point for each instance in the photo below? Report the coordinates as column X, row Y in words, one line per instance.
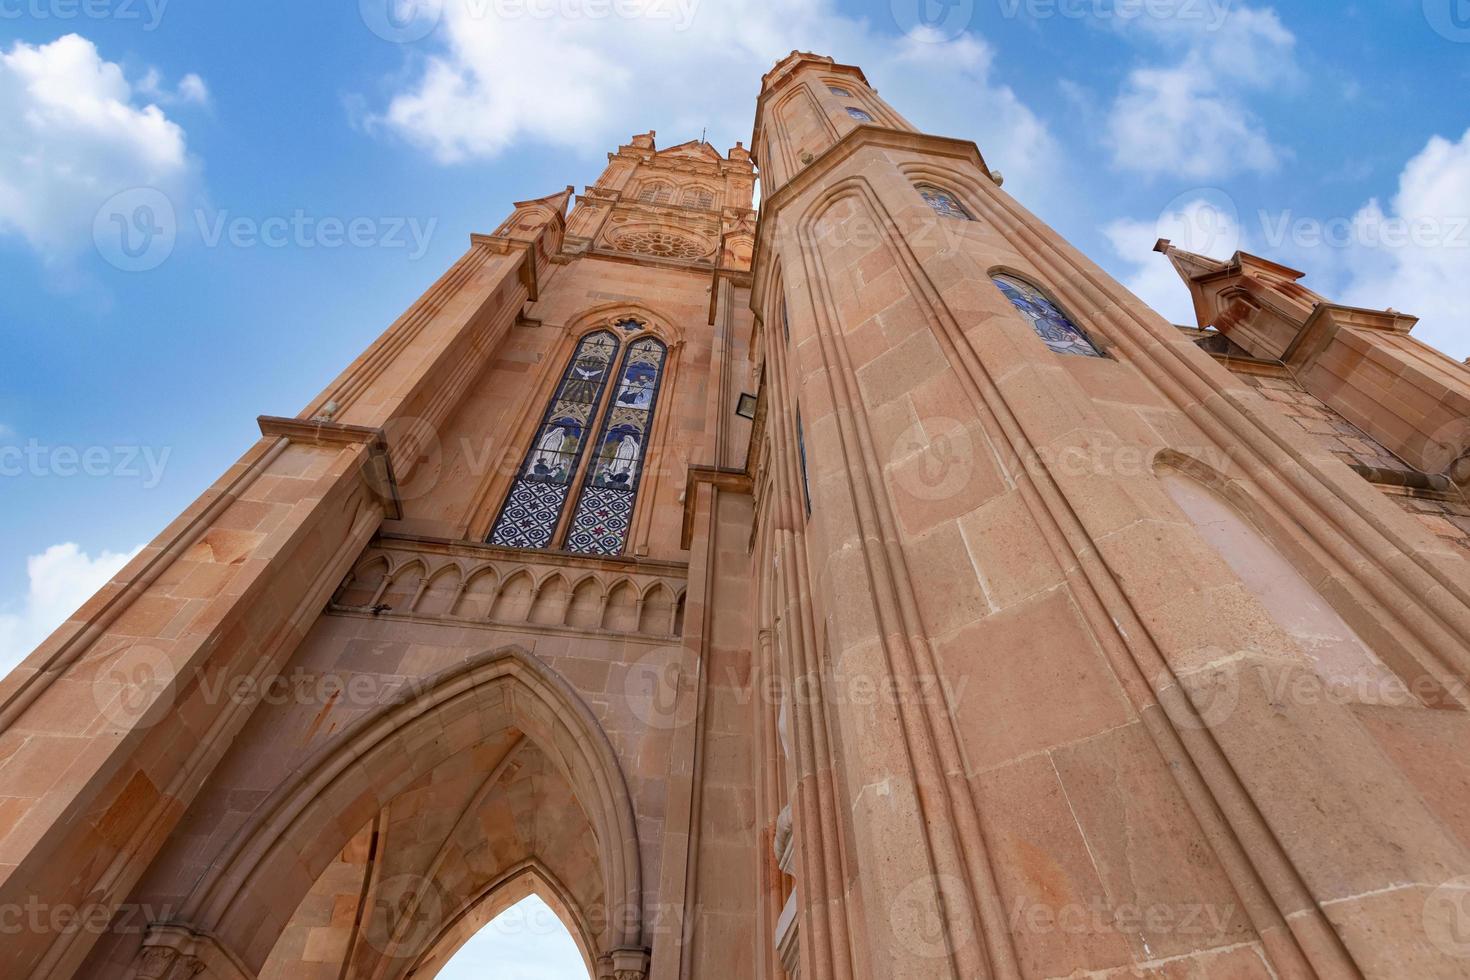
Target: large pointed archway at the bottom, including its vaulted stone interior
column 423, row 822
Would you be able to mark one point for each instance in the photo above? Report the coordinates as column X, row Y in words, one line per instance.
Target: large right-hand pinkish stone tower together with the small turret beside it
column 1118, row 668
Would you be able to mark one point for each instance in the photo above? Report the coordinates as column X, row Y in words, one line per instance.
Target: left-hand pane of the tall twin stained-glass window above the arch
column 537, row 497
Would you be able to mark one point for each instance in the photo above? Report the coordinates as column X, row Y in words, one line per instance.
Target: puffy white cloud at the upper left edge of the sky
column 73, row 136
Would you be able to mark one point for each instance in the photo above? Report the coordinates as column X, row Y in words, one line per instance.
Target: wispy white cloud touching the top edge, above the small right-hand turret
column 1190, row 118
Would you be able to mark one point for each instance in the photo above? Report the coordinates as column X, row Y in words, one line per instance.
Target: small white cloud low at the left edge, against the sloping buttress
column 61, row 580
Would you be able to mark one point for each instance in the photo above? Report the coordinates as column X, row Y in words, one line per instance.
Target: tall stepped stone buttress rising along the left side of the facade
column 117, row 721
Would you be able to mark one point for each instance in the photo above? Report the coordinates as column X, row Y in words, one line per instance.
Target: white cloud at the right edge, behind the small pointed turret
column 1412, row 255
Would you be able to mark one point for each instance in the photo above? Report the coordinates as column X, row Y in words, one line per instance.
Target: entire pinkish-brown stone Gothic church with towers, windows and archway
column 875, row 590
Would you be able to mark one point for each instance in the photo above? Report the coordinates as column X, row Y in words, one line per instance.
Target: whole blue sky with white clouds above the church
column 324, row 164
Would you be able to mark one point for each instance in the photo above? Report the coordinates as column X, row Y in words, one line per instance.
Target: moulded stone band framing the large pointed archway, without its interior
column 308, row 821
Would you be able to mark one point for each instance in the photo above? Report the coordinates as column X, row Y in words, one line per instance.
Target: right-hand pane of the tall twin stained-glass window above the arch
column 606, row 508
